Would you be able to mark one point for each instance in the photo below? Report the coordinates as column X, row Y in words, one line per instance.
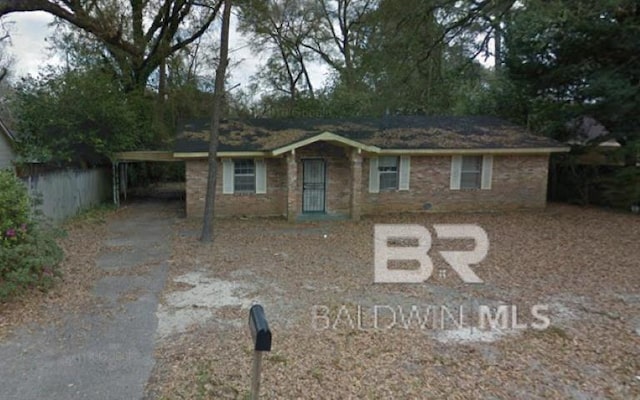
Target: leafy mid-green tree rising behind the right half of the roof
column 409, row 61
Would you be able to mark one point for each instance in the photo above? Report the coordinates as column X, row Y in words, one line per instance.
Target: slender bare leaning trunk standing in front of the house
column 207, row 225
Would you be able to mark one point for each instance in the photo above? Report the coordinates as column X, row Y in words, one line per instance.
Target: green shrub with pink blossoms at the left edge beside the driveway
column 29, row 255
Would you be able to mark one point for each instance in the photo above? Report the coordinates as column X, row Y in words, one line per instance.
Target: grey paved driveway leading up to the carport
column 106, row 352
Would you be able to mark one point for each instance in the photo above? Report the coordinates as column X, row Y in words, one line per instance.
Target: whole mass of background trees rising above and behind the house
column 555, row 61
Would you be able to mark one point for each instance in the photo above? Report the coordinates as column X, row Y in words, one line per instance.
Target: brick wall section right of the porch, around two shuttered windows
column 518, row 182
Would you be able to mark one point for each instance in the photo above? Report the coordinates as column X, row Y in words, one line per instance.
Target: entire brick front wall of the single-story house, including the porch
column 518, row 182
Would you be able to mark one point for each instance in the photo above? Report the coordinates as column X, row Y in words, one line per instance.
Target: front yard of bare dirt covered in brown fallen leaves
column 567, row 281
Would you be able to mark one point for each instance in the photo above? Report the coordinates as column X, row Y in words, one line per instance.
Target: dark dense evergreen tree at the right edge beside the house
column 576, row 59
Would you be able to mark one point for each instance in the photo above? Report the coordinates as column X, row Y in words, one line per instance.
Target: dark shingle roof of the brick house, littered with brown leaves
column 392, row 132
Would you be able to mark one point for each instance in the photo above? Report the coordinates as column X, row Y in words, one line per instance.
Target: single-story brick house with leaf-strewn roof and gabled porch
column 354, row 167
